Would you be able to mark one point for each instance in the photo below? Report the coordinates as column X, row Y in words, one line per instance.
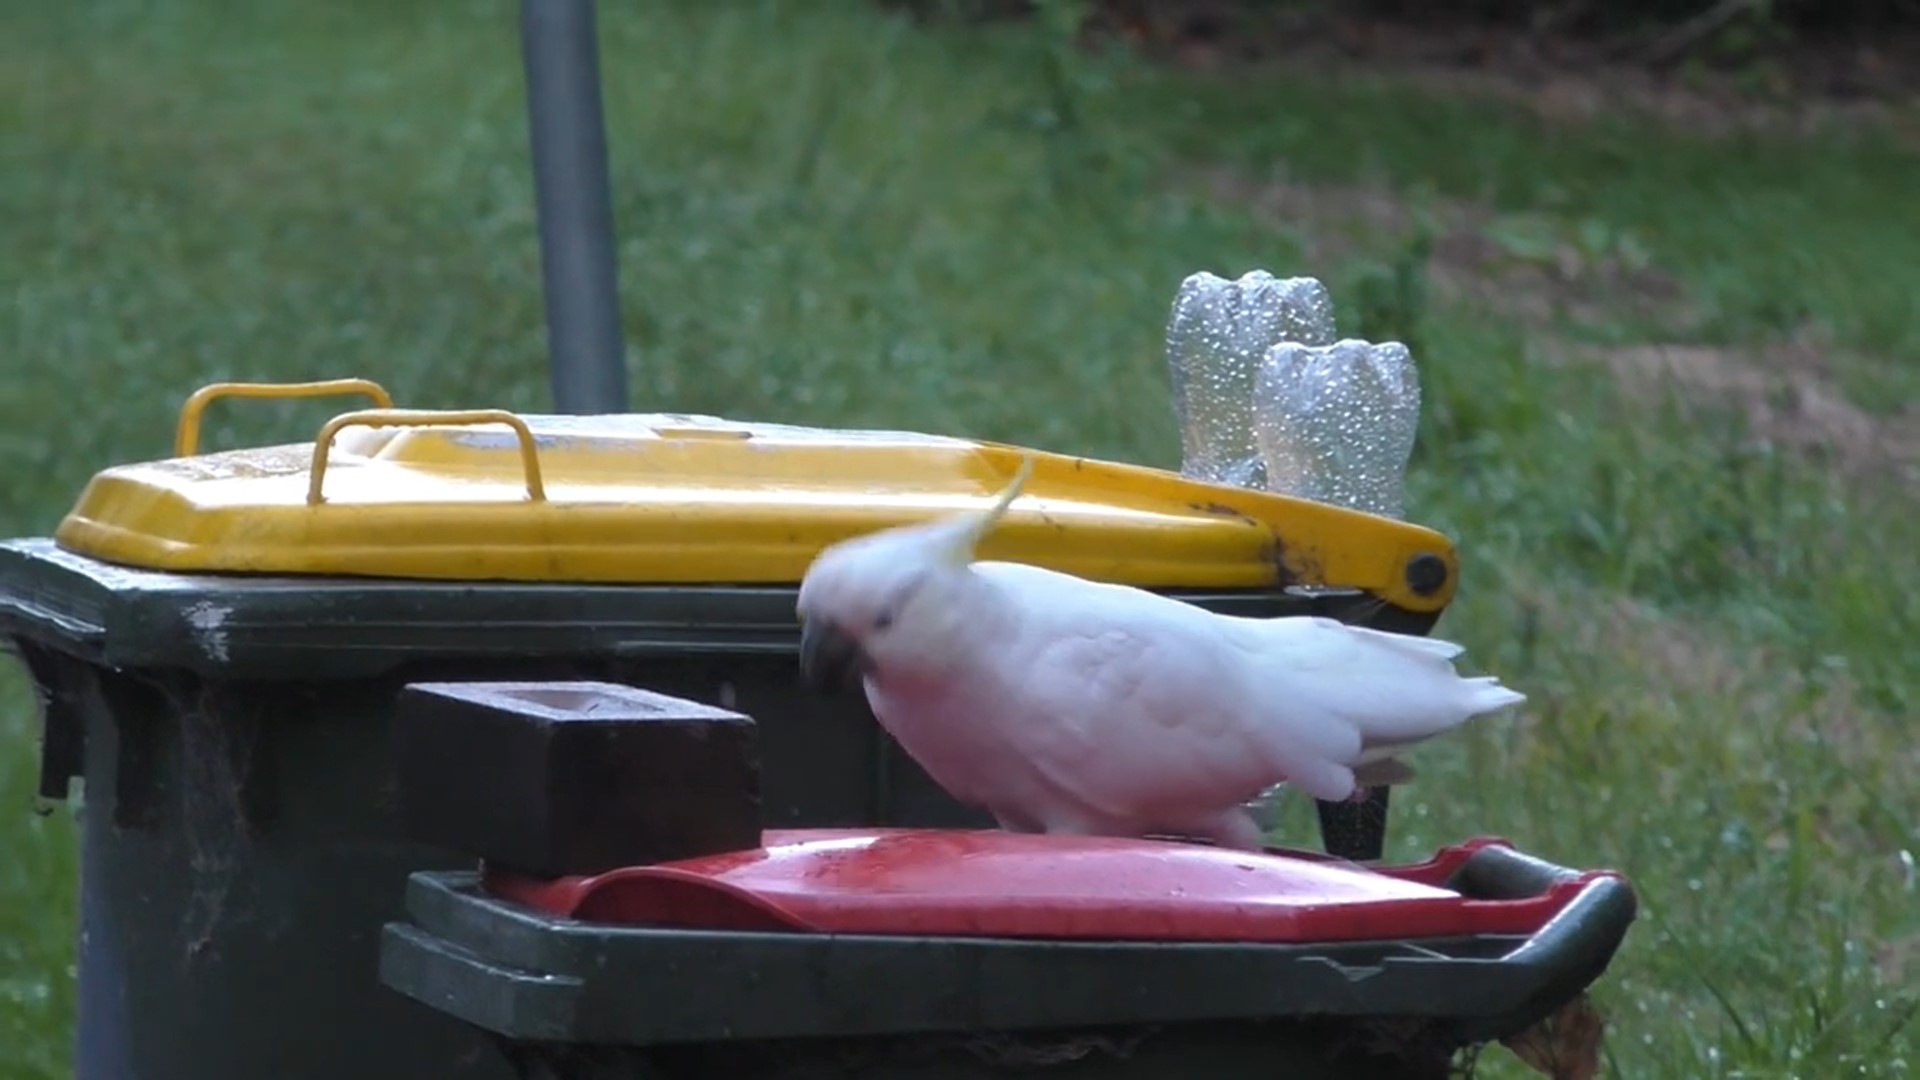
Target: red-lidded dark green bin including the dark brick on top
column 625, row 939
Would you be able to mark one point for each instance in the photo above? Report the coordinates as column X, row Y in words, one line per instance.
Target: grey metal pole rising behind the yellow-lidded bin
column 577, row 260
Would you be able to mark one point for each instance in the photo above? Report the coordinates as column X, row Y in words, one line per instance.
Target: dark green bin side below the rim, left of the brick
column 235, row 864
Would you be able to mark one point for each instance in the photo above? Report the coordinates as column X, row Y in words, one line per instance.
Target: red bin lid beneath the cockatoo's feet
column 1001, row 885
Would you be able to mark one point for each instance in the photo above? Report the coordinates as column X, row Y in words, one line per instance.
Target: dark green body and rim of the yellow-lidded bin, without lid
column 241, row 847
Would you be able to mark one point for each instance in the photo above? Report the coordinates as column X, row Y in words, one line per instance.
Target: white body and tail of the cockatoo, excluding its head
column 1097, row 708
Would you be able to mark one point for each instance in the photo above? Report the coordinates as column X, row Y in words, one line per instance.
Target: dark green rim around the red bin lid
column 529, row 975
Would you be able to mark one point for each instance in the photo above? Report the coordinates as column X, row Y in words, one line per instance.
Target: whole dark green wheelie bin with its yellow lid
column 218, row 641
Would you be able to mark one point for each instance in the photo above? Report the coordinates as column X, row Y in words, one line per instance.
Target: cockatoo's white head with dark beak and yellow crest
column 886, row 601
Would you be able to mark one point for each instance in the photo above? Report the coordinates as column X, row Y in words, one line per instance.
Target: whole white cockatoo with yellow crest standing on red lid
column 1070, row 706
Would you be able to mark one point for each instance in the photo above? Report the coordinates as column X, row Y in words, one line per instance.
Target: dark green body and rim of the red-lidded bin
column 573, row 994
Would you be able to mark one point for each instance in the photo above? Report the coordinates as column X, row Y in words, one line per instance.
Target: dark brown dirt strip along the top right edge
column 1727, row 74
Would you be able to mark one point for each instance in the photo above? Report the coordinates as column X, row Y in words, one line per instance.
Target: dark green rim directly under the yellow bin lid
column 348, row 627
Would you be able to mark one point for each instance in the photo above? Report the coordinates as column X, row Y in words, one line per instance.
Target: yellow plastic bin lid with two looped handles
column 698, row 501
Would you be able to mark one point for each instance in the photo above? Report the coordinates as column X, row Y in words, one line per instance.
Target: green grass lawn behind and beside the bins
column 838, row 218
